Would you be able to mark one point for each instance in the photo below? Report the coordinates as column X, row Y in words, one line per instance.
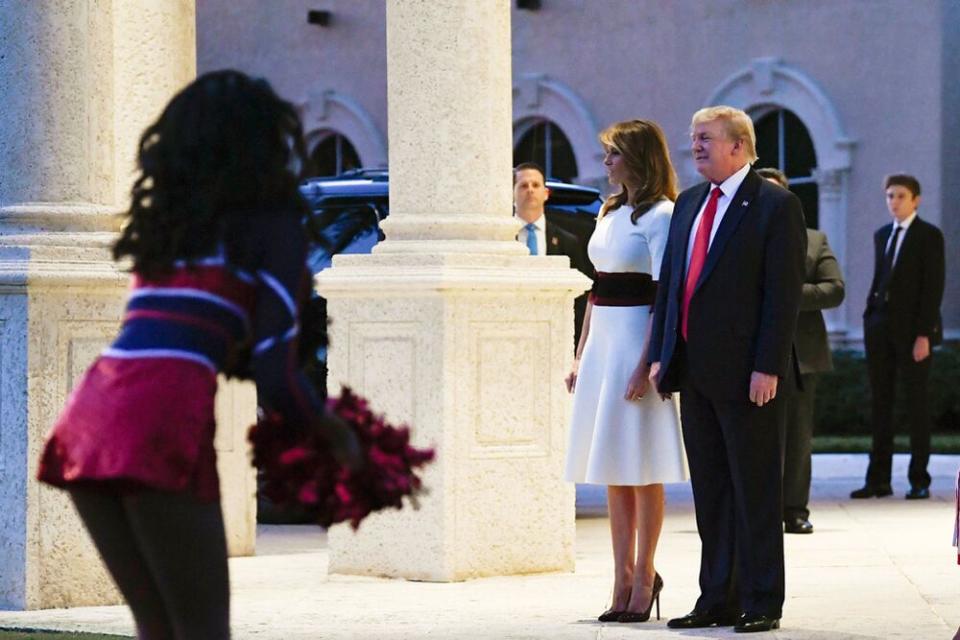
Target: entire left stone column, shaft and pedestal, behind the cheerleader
column 81, row 80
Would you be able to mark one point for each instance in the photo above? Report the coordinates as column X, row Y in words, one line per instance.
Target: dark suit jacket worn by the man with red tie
column 743, row 313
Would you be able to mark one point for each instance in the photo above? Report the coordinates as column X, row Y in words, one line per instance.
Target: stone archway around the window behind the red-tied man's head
column 768, row 83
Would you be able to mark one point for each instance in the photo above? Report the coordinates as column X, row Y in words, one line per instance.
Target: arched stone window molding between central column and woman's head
column 537, row 97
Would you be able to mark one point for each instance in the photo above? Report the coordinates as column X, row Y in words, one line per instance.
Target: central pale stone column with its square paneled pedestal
column 449, row 325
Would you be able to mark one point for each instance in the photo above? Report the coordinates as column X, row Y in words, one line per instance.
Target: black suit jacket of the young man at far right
column 913, row 297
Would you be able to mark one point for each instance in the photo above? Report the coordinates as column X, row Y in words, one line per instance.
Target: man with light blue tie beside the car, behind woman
column 541, row 237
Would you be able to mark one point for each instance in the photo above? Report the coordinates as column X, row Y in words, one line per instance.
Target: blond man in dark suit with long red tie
column 722, row 335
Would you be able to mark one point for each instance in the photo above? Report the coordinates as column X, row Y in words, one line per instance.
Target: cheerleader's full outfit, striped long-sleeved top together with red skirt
column 144, row 413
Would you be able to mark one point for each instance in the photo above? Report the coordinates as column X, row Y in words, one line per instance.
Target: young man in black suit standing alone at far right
column 900, row 325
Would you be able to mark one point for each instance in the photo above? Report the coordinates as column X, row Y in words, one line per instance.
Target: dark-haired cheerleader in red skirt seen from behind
column 218, row 252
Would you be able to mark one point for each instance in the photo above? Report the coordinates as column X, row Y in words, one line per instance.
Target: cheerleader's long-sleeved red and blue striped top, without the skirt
column 226, row 318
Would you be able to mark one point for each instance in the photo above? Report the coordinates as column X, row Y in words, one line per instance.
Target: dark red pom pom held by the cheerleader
column 298, row 468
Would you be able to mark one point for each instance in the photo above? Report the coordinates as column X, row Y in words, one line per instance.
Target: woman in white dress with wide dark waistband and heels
column 623, row 433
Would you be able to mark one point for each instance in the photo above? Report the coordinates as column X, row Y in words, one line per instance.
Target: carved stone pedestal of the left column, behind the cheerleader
column 55, row 317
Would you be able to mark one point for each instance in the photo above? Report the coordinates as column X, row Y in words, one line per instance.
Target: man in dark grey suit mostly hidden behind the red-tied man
column 823, row 288
